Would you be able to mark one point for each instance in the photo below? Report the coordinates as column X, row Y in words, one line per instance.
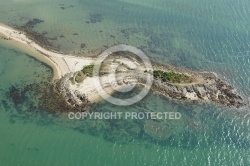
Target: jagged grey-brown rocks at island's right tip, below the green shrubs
column 216, row 91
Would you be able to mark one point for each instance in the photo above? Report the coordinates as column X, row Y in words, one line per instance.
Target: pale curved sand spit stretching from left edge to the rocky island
column 61, row 64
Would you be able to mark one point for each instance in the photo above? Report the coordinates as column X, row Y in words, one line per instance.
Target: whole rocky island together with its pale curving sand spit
column 74, row 78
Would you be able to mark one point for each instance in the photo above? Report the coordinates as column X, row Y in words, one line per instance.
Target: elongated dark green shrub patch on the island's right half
column 171, row 77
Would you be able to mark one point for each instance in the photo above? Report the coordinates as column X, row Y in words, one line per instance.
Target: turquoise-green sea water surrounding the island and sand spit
column 195, row 34
